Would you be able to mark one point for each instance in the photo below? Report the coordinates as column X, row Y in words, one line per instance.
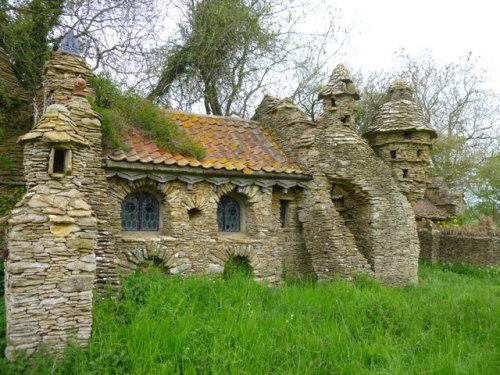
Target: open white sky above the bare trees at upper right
column 449, row 28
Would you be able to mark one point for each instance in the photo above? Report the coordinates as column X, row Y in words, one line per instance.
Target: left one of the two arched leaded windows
column 140, row 211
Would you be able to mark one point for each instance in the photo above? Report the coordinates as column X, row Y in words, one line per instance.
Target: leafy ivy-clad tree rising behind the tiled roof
column 218, row 51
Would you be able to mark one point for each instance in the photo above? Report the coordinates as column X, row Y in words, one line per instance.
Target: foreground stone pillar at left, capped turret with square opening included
column 51, row 236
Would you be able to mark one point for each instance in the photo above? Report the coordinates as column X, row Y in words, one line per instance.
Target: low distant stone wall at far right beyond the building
column 460, row 245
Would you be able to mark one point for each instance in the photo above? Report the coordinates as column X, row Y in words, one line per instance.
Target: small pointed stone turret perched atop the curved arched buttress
column 338, row 98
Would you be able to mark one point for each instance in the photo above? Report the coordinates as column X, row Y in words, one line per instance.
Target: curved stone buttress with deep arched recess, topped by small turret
column 354, row 217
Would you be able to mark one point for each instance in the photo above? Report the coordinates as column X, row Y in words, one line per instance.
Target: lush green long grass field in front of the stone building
column 448, row 324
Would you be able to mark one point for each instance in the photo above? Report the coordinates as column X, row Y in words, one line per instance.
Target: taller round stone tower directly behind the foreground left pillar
column 61, row 71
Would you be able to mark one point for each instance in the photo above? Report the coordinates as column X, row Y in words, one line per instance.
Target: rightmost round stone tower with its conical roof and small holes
column 401, row 137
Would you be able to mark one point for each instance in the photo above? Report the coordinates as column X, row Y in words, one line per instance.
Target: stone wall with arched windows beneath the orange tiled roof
column 192, row 244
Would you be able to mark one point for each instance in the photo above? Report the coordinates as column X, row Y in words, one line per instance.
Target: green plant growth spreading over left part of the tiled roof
column 121, row 112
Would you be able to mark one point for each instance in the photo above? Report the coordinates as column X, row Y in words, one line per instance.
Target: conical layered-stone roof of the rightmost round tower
column 399, row 112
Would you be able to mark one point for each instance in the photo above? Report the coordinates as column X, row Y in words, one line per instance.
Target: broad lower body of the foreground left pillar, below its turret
column 49, row 270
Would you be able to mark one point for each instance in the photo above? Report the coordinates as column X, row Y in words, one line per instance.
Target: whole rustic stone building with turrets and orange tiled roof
column 291, row 197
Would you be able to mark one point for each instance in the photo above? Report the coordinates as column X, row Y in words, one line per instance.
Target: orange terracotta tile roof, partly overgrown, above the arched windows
column 230, row 144
